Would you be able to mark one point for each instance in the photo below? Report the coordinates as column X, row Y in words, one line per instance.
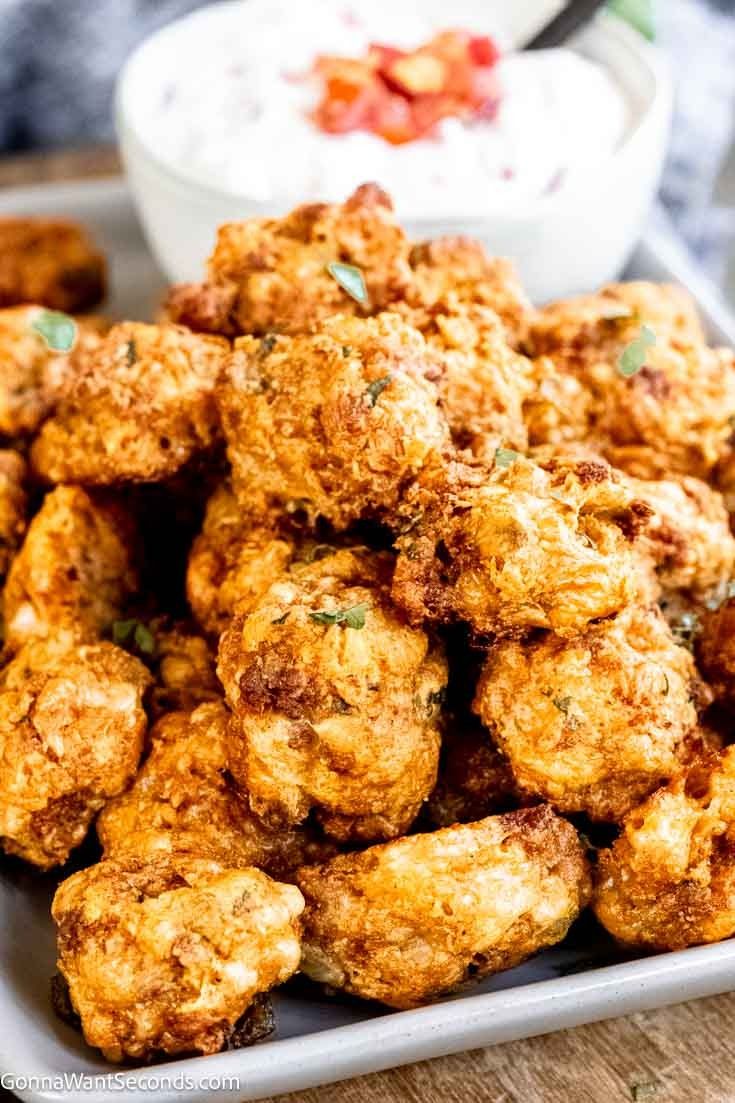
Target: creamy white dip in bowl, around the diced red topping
column 230, row 103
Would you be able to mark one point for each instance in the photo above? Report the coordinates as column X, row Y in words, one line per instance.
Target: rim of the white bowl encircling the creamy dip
column 604, row 26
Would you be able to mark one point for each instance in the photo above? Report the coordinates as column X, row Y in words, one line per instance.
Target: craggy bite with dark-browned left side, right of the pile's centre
column 519, row 548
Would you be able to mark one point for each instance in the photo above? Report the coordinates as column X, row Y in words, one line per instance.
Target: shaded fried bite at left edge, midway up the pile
column 74, row 572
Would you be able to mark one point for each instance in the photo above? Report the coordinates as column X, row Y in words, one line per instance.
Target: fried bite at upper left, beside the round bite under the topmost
column 136, row 411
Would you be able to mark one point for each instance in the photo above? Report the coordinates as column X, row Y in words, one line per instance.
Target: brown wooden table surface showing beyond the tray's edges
column 678, row 1055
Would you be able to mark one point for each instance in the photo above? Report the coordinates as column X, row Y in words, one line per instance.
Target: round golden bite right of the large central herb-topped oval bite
column 596, row 723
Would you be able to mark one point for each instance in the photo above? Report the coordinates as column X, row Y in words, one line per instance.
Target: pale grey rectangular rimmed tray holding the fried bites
column 318, row 1040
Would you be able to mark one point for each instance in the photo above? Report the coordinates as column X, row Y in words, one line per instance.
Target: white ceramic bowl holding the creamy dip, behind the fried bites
column 563, row 244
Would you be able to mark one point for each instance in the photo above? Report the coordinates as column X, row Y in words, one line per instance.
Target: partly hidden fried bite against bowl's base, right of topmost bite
column 461, row 267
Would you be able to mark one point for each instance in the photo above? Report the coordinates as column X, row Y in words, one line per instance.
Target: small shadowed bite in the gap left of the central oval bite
column 185, row 669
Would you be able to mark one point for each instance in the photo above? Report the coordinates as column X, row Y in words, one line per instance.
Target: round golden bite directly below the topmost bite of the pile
column 338, row 422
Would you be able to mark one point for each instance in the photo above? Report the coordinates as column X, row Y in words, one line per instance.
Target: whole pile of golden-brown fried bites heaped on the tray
column 340, row 602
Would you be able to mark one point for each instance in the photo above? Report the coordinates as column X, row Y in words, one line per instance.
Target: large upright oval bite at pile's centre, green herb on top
column 336, row 701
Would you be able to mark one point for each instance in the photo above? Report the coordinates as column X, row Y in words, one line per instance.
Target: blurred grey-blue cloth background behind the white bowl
column 59, row 60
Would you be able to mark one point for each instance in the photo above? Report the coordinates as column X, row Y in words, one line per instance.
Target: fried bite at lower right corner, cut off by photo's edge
column 669, row 880
